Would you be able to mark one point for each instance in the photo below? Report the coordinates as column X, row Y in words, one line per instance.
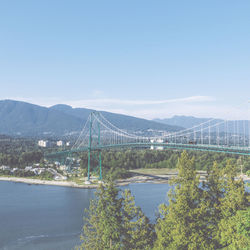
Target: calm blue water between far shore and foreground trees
column 41, row 217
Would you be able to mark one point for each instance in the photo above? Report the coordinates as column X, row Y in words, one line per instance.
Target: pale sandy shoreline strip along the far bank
column 156, row 179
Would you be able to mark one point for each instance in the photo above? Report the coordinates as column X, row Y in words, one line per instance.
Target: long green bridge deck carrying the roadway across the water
column 196, row 147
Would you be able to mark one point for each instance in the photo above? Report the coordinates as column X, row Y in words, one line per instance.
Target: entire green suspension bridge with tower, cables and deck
column 98, row 134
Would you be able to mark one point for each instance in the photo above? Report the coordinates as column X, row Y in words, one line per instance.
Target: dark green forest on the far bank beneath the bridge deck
column 117, row 163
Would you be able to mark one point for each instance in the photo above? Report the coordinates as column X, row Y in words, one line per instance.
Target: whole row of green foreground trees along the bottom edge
column 209, row 215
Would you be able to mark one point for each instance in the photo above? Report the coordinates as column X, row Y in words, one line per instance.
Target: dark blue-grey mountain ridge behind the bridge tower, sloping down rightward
column 26, row 119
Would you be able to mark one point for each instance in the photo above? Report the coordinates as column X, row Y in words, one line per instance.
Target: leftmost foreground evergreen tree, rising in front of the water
column 103, row 223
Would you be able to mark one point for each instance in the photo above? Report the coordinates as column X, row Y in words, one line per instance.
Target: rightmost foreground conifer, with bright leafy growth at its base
column 233, row 211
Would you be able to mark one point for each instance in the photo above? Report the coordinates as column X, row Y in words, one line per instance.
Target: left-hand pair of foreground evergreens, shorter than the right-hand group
column 114, row 222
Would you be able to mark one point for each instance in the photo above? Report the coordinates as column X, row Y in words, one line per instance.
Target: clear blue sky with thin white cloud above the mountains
column 144, row 58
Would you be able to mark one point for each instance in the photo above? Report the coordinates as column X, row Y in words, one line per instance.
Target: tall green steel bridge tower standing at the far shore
column 94, row 155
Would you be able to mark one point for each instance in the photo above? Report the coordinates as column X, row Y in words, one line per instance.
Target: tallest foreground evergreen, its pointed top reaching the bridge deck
column 182, row 224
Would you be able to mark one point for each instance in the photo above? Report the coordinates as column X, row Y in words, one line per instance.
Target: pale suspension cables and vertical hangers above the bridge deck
column 210, row 132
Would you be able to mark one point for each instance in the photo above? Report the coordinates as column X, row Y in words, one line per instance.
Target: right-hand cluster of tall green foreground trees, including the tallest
column 209, row 217
